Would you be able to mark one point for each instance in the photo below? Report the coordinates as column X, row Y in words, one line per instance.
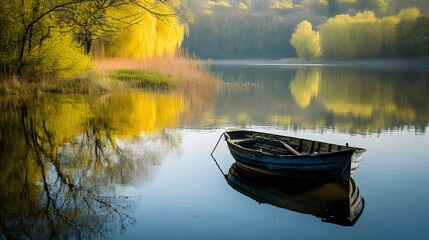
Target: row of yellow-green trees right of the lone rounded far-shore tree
column 366, row 36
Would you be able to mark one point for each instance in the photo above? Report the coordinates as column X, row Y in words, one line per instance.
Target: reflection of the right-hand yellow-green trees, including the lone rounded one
column 364, row 99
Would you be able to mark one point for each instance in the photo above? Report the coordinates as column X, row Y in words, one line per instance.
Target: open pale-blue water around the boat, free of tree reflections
column 189, row 198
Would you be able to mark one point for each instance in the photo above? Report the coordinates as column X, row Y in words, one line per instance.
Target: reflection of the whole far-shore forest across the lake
column 348, row 99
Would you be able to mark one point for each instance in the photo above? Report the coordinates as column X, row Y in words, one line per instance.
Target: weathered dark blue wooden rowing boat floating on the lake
column 292, row 157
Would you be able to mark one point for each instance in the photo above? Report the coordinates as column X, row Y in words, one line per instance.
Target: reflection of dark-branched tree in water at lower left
column 60, row 165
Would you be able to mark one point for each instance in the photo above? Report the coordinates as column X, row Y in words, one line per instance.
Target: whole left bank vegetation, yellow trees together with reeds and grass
column 51, row 46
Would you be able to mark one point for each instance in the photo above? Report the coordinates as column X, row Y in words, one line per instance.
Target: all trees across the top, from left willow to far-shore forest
column 62, row 38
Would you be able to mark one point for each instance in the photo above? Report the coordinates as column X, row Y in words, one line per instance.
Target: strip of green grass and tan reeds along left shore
column 118, row 74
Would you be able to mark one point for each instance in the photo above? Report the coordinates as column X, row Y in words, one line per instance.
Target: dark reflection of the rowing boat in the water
column 331, row 202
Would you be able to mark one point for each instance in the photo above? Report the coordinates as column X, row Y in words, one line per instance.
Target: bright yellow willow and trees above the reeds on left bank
column 58, row 37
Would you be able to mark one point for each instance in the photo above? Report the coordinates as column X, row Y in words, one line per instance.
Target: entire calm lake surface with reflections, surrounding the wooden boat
column 138, row 165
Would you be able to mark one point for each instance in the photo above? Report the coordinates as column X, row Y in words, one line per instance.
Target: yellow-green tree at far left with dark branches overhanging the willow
column 35, row 32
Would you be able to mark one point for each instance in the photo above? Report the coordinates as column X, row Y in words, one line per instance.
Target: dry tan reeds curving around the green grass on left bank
column 198, row 87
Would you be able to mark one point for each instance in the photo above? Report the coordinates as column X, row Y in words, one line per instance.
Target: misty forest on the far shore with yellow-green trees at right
column 309, row 29
